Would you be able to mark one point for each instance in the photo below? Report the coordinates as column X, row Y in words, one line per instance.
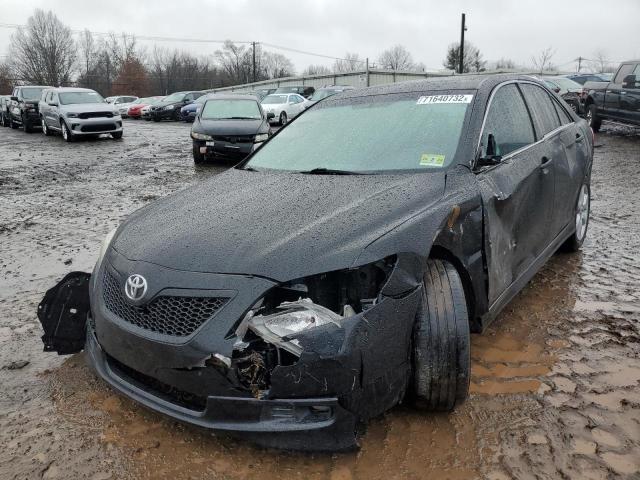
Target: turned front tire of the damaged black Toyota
column 441, row 340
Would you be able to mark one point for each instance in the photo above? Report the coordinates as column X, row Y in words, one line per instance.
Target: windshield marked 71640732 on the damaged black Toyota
column 392, row 132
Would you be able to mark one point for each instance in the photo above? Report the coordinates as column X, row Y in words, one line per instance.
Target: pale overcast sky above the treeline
column 499, row 28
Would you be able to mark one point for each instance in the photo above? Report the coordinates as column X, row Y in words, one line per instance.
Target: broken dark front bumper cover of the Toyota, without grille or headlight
column 345, row 375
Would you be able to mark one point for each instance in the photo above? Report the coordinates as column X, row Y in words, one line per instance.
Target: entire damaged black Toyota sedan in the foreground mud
column 340, row 269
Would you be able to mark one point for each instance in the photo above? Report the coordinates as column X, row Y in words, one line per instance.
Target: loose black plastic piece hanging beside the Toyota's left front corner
column 63, row 314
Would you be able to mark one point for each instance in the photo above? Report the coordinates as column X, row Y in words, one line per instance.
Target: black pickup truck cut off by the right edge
column 618, row 100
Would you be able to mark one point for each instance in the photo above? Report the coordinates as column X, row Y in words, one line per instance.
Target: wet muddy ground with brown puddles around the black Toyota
column 556, row 379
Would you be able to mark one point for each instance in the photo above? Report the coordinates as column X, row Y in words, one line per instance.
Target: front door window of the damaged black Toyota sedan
column 508, row 121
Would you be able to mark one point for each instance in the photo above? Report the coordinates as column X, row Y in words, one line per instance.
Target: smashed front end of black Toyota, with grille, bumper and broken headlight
column 295, row 365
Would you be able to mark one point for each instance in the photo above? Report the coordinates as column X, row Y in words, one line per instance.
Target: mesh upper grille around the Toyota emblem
column 168, row 315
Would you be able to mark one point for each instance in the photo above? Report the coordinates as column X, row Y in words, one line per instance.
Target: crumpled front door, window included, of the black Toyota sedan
column 517, row 193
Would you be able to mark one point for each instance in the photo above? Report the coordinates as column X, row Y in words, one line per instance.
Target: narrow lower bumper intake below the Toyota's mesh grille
column 158, row 388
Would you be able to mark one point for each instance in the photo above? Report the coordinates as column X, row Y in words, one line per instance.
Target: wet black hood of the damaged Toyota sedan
column 274, row 225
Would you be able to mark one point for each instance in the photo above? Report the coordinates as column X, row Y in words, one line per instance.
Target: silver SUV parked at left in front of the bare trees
column 78, row 111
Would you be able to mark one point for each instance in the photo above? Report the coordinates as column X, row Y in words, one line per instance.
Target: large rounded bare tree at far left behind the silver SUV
column 44, row 51
